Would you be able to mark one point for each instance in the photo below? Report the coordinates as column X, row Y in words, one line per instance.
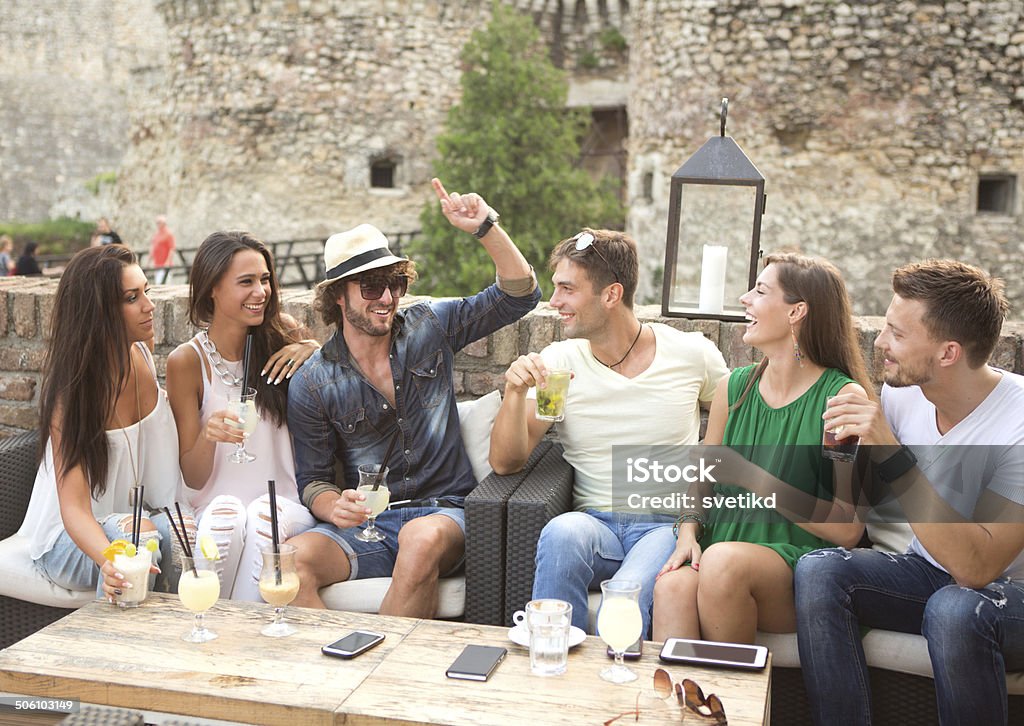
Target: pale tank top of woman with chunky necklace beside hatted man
column 270, row 444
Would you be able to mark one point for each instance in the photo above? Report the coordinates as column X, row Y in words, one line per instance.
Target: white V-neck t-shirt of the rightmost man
column 965, row 461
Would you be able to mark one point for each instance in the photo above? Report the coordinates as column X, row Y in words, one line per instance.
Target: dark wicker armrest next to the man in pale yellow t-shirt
column 542, row 496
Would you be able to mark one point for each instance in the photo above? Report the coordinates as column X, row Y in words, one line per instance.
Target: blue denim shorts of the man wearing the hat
column 376, row 560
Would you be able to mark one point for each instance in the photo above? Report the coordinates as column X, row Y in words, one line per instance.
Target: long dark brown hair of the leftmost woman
column 88, row 361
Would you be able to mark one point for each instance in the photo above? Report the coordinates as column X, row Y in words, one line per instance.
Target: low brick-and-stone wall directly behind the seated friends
column 26, row 306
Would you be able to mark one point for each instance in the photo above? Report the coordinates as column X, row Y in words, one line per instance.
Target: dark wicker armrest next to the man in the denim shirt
column 486, row 517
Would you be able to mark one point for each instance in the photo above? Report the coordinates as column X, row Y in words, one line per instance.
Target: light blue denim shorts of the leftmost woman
column 69, row 568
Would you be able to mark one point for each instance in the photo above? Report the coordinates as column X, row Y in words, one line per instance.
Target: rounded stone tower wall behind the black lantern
column 871, row 121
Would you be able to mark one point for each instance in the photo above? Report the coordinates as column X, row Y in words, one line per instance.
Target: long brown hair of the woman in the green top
column 827, row 335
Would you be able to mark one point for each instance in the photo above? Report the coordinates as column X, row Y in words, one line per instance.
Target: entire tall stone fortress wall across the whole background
column 873, row 121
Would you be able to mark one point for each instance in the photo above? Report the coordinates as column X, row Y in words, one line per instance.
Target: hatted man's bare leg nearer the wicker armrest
column 428, row 547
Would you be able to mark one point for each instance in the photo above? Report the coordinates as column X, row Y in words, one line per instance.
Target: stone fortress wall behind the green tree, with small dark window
column 276, row 110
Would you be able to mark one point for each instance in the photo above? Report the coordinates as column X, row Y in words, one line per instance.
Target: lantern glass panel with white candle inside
column 712, row 281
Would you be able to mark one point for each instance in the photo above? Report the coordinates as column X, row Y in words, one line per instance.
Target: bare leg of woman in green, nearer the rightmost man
column 745, row 587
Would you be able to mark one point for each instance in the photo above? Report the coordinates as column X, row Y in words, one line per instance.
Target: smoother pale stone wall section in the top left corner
column 70, row 75
